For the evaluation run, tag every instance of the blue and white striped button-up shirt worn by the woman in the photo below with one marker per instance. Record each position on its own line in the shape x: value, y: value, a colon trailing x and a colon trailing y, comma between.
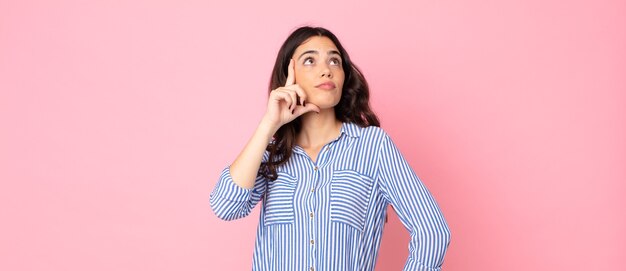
x: 329, y: 214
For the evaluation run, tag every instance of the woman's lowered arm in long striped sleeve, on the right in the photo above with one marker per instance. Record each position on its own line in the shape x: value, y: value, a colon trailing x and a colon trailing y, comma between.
x: 416, y: 208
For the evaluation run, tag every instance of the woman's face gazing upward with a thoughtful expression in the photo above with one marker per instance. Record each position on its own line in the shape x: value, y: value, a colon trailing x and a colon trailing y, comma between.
x: 319, y: 71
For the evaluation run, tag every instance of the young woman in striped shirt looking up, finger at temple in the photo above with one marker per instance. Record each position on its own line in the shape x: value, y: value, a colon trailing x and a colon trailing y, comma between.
x: 325, y: 171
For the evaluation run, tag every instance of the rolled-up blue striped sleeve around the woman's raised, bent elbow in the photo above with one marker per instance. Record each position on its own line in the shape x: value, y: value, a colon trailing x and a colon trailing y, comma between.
x: 229, y: 201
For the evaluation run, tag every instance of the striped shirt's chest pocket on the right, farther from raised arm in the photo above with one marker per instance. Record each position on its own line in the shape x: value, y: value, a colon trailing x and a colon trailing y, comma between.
x: 349, y: 198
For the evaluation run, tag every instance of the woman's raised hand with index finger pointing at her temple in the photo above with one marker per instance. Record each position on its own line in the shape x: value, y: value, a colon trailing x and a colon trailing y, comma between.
x: 287, y: 103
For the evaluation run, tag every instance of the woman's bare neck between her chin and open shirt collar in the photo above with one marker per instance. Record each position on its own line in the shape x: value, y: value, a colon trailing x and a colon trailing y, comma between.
x: 318, y: 129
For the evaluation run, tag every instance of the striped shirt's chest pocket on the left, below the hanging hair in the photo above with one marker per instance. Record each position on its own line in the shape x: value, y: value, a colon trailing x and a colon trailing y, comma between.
x: 279, y: 200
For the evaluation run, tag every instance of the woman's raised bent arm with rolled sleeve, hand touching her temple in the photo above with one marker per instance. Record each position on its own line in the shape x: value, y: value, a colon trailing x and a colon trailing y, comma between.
x: 240, y: 186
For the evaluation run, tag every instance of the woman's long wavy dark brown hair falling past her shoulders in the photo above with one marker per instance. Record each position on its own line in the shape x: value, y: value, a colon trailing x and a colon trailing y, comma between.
x: 352, y: 107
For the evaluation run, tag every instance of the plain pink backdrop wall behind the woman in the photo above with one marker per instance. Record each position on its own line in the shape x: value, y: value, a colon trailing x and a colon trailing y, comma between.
x: 117, y: 118
